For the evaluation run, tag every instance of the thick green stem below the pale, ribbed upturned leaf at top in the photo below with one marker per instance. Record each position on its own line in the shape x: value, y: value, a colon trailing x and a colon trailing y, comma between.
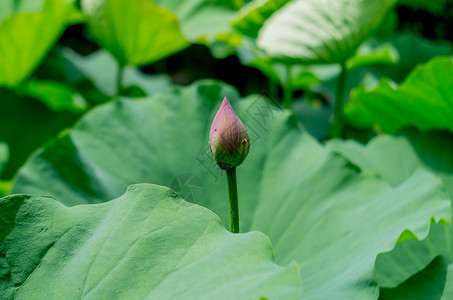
x: 337, y: 129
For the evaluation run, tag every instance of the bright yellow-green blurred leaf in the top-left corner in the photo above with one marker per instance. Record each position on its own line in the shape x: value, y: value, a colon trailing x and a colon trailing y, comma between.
x: 28, y: 30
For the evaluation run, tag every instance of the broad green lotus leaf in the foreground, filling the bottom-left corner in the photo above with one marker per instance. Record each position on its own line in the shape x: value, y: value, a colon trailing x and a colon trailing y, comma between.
x: 149, y: 243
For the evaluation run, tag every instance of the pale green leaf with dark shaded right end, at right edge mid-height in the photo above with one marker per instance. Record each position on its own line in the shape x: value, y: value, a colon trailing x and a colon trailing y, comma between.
x: 396, y: 158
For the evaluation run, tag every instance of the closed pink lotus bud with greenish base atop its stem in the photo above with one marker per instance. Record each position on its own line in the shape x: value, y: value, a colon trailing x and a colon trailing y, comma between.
x: 228, y: 139
